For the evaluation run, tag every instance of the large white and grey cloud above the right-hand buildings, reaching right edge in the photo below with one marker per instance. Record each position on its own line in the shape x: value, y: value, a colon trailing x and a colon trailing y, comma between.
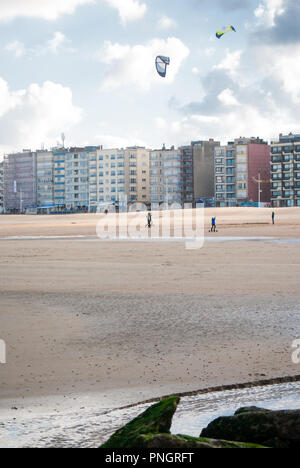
x: 267, y: 106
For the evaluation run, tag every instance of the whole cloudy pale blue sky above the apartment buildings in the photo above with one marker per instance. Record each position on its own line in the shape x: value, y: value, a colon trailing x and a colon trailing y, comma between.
x: 86, y: 68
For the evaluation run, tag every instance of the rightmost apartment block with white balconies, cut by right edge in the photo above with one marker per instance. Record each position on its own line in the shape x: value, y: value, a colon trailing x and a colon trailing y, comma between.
x: 285, y: 171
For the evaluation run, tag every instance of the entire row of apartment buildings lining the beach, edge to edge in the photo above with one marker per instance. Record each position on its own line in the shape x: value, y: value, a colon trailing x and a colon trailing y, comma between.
x: 245, y: 171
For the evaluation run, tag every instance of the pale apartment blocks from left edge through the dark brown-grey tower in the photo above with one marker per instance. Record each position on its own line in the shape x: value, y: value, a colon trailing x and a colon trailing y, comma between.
x: 82, y: 178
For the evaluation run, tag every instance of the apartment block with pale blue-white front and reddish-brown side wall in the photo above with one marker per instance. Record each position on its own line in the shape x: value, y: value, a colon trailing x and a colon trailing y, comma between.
x: 237, y: 169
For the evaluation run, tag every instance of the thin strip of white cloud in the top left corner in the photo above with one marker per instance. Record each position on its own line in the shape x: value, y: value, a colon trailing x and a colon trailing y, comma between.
x: 49, y: 10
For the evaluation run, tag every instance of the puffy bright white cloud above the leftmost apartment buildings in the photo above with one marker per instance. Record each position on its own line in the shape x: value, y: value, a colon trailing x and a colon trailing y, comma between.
x: 36, y: 114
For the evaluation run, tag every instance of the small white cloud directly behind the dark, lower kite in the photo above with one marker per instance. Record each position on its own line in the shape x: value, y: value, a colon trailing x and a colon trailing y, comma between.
x: 135, y: 65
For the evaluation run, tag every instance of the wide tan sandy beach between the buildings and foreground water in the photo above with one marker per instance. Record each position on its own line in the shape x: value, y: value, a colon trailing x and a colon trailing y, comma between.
x: 136, y: 320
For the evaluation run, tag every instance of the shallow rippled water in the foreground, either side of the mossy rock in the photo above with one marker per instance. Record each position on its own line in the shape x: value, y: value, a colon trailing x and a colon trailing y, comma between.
x: 89, y: 427
